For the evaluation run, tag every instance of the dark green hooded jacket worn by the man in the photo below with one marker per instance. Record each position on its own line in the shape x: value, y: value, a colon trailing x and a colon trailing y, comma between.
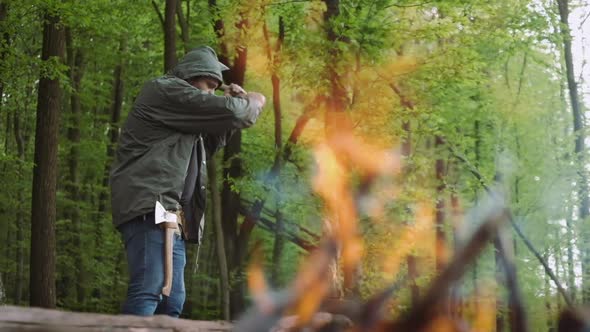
x: 166, y: 139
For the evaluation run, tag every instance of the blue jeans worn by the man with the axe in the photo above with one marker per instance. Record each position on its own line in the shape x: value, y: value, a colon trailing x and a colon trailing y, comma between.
x: 144, y: 244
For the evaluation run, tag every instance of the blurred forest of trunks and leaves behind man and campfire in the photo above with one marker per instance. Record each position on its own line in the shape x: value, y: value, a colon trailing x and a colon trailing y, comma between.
x: 499, y: 83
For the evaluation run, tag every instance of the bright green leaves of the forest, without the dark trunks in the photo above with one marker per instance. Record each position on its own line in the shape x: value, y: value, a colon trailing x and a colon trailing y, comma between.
x: 484, y: 75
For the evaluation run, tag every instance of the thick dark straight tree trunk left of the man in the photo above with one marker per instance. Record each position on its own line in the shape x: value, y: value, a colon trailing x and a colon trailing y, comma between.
x: 43, y: 207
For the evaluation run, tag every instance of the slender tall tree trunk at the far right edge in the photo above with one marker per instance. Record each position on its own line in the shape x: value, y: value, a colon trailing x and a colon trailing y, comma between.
x: 584, y: 200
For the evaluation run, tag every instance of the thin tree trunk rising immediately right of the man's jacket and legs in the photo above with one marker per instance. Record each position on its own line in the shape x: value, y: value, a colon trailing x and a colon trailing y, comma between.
x: 221, y: 254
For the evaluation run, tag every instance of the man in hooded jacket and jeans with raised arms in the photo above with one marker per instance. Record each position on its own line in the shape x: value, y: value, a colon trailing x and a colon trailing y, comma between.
x: 177, y: 122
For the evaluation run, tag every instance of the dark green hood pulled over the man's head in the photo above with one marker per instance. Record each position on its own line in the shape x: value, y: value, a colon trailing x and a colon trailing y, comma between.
x: 201, y: 61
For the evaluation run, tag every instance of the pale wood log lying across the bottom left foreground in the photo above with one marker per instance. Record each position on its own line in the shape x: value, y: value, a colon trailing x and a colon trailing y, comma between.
x: 17, y: 319
